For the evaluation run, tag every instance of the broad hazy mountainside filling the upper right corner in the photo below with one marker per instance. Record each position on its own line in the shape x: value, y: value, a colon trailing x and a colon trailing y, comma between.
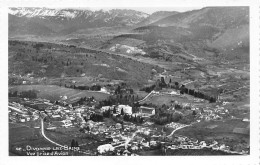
x: 219, y: 26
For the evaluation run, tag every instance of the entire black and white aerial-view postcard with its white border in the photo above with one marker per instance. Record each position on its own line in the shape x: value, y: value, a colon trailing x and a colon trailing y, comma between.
x: 112, y: 80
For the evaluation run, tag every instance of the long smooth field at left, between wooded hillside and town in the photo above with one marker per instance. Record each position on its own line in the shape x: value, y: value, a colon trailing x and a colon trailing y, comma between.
x: 52, y: 92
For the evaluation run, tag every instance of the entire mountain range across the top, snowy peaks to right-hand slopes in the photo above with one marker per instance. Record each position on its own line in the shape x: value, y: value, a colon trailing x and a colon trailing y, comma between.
x: 222, y: 28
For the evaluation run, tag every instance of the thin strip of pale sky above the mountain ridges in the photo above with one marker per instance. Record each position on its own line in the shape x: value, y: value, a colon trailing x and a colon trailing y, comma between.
x: 148, y: 10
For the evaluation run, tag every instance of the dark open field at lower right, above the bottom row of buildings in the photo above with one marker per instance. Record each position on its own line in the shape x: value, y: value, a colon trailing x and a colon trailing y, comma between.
x: 221, y: 131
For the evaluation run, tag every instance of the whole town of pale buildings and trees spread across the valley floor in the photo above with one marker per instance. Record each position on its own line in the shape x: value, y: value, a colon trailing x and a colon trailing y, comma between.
x: 126, y: 131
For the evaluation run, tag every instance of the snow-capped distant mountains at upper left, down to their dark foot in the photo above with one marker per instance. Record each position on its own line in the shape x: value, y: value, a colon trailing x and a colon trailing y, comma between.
x: 65, y: 21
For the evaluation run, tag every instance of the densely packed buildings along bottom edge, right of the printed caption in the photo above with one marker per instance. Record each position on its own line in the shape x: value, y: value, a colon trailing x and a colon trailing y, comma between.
x: 133, y: 143
